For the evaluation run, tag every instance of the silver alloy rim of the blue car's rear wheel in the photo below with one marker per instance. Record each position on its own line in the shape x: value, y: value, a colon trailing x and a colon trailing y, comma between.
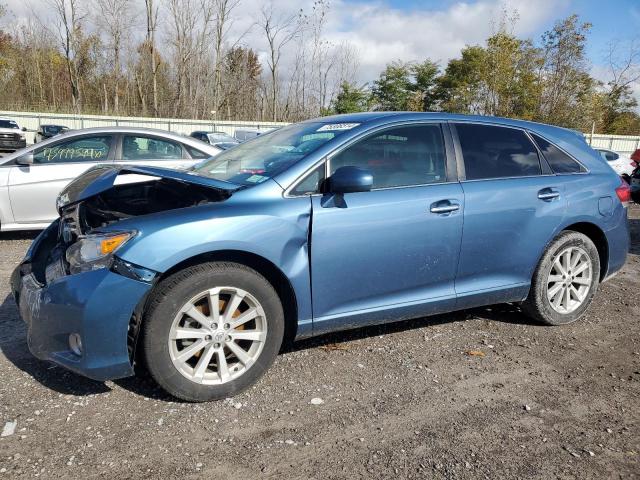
x: 569, y: 280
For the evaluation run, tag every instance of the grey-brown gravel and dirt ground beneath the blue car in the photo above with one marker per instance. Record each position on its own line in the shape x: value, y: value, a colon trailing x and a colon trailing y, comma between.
x: 401, y: 401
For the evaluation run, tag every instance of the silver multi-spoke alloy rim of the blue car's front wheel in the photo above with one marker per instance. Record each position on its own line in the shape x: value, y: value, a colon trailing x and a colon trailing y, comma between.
x: 217, y: 335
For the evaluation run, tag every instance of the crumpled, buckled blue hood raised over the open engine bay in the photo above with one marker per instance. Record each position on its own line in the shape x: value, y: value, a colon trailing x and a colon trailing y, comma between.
x: 103, y: 177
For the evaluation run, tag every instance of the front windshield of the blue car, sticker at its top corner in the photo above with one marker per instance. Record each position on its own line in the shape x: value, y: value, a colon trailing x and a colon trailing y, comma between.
x: 265, y: 156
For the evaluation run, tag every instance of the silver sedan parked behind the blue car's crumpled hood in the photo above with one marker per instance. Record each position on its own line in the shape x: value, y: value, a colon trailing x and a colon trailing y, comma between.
x: 31, y: 178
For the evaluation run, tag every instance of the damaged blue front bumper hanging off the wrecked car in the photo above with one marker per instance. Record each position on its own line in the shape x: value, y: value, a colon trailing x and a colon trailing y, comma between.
x: 97, y: 306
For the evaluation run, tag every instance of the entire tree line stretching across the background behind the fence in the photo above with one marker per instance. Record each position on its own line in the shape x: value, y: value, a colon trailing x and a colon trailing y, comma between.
x: 184, y: 58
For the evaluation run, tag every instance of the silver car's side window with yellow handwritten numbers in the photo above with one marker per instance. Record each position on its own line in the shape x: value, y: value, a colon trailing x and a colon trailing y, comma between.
x: 84, y: 149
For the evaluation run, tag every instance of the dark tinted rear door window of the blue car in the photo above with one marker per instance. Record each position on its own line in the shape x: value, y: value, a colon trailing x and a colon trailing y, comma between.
x: 491, y: 151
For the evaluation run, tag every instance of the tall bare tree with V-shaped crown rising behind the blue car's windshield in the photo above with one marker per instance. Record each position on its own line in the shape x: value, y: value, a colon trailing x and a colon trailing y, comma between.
x: 279, y: 31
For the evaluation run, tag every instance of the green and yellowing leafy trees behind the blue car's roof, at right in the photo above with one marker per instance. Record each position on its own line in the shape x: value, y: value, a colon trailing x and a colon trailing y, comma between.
x: 547, y: 81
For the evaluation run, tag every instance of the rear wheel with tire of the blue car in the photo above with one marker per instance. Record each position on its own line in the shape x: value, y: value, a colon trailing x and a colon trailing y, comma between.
x: 565, y: 280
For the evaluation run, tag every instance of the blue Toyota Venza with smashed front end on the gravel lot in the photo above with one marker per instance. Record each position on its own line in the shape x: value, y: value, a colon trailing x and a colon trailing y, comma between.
x: 319, y: 226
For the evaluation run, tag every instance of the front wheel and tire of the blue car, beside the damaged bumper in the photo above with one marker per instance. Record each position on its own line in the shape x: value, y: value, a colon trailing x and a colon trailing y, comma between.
x: 211, y: 331
